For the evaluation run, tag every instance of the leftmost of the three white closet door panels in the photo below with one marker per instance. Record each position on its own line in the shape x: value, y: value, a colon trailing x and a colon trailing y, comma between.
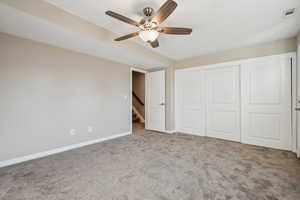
x: 189, y: 102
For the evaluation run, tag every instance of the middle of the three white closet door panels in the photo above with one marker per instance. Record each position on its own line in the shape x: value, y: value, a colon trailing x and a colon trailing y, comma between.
x: 223, y: 103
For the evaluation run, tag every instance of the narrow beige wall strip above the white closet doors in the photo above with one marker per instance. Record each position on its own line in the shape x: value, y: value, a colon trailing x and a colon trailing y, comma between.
x: 267, y: 49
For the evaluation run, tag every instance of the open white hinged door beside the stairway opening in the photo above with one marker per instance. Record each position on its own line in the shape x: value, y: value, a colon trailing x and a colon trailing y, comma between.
x: 155, y: 101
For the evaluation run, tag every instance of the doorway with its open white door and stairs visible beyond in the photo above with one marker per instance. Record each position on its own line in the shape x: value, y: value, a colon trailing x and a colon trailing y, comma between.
x: 148, y: 101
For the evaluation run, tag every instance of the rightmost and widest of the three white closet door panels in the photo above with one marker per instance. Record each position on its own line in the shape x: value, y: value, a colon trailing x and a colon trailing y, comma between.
x: 266, y: 102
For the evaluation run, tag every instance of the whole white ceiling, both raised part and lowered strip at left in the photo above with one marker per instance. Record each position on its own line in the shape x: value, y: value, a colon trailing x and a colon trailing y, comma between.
x: 217, y: 25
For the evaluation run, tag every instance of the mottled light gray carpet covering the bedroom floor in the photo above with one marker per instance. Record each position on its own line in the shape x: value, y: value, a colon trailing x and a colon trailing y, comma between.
x: 157, y: 166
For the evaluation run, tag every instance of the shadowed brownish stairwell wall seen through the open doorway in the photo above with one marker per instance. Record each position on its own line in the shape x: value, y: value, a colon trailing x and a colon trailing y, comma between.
x: 138, y: 87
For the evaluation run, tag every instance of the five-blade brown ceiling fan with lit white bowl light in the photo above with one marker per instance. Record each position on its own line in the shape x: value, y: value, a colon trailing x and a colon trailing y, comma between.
x: 149, y: 25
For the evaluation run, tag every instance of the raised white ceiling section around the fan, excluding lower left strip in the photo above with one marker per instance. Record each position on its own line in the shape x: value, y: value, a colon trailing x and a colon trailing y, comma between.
x: 217, y: 24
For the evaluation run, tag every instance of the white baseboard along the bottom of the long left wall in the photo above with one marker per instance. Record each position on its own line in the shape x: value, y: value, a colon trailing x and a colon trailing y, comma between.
x: 57, y: 150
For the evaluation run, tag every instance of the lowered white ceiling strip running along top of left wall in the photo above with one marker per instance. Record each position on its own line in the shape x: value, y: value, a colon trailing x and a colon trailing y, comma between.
x: 15, y: 22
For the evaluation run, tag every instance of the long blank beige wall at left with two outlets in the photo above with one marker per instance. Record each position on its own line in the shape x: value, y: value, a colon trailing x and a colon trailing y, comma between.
x: 46, y: 91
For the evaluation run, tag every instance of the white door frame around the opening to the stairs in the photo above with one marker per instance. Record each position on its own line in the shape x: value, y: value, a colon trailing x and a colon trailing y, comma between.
x: 133, y: 69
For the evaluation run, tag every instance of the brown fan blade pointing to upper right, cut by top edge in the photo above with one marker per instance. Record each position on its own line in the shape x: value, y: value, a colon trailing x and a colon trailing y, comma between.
x: 164, y: 11
